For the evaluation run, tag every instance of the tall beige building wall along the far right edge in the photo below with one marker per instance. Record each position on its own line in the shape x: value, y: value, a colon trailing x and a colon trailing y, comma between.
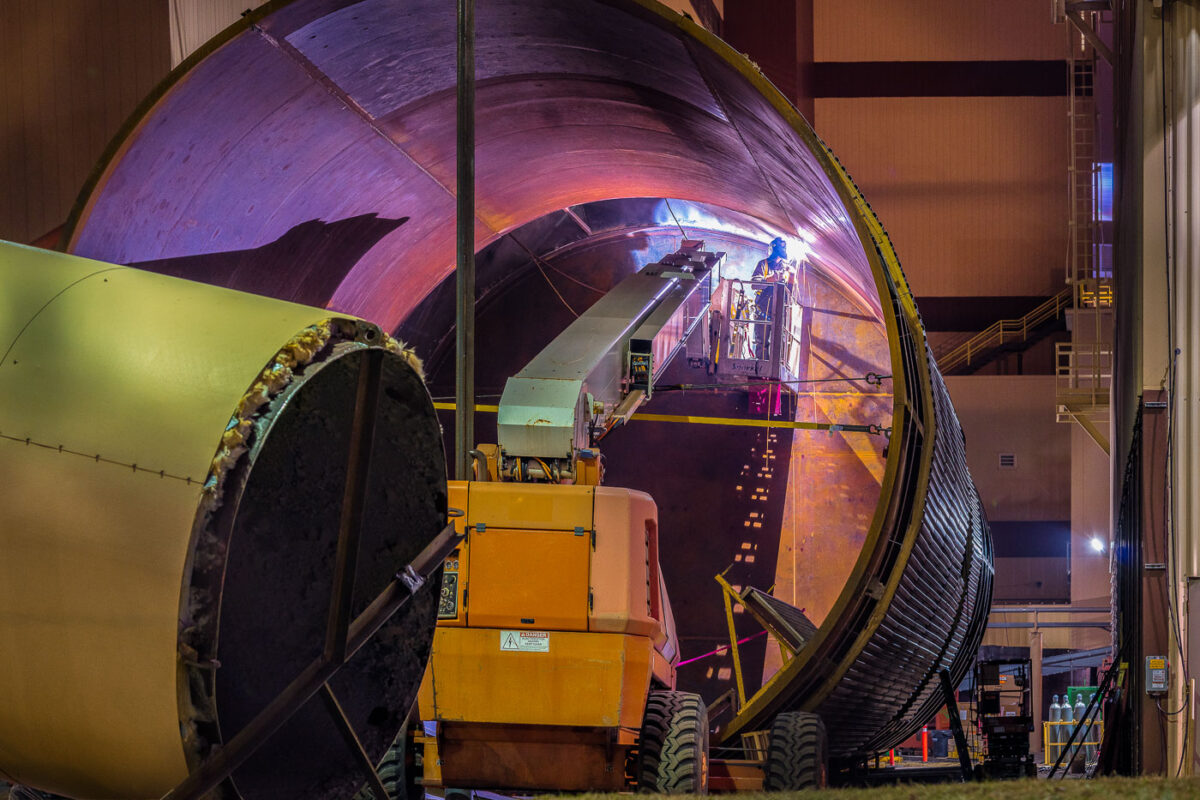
x: 1159, y: 346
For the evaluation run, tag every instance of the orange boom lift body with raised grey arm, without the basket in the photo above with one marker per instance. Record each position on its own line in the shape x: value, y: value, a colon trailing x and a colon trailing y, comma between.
x: 554, y: 659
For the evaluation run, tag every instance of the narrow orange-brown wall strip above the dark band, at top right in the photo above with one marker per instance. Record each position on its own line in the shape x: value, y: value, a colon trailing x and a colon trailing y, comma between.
x: 937, y: 31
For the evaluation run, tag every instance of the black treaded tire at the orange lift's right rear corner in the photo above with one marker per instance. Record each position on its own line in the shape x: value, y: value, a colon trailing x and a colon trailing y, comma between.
x: 674, y: 748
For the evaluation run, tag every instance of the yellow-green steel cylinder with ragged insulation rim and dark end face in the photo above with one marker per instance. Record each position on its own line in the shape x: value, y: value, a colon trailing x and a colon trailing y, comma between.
x: 175, y: 458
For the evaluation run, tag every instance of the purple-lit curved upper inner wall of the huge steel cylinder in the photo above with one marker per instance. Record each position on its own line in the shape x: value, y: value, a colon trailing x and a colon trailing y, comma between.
x: 332, y: 111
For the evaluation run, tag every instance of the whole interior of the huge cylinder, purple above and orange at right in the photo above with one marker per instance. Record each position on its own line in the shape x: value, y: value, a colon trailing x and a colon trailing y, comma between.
x: 327, y: 178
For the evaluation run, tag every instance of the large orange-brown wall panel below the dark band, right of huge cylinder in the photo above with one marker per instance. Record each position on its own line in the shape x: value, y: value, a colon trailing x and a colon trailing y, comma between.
x: 973, y: 190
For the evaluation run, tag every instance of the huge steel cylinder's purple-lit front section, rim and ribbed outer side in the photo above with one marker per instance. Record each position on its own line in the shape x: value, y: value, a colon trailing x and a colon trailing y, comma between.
x: 309, y: 153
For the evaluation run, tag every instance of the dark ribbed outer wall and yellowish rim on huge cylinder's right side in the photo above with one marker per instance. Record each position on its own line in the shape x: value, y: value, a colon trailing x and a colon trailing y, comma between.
x: 917, y: 601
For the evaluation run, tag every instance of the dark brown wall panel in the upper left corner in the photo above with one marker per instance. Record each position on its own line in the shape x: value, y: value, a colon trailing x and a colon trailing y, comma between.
x: 74, y: 71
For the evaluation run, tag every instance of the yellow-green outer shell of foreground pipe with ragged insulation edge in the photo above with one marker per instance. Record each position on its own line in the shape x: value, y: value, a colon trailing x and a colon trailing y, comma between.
x: 118, y: 393
